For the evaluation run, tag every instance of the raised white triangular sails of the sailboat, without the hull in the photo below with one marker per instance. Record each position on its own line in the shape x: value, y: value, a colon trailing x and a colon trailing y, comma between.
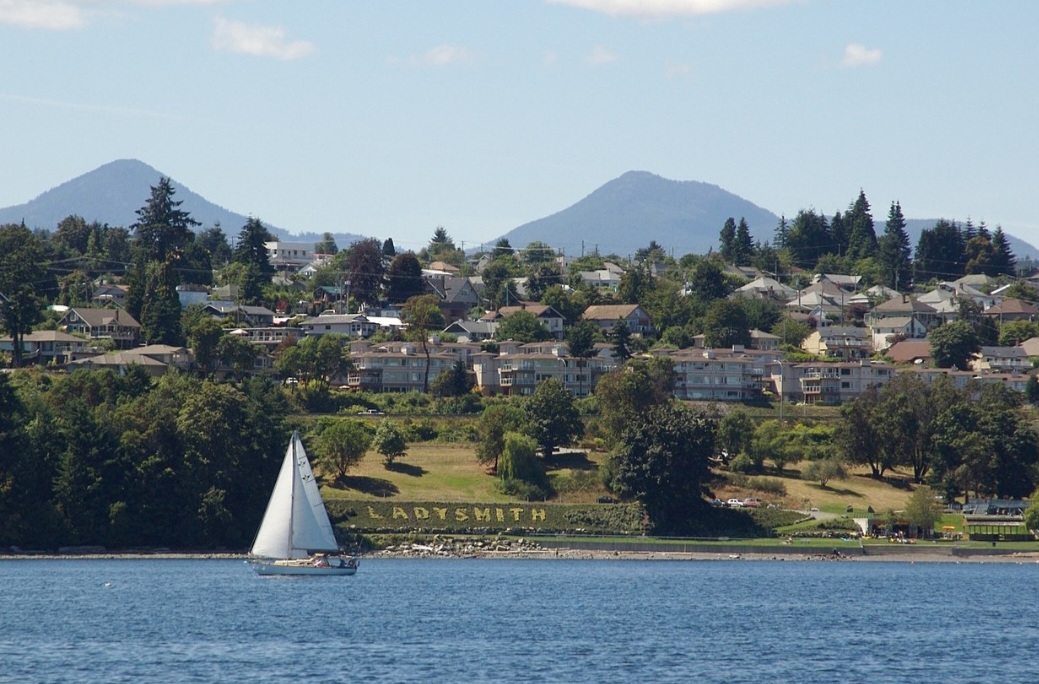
x: 296, y: 523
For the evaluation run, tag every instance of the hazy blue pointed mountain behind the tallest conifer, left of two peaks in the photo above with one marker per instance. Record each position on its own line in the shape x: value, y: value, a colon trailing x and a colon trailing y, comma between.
x: 113, y: 194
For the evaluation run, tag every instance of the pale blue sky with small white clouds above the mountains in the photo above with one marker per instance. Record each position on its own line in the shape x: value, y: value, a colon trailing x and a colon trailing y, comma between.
x: 390, y: 119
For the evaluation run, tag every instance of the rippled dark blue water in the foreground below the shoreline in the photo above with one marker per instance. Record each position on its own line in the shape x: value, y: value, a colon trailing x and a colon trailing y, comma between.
x: 520, y: 621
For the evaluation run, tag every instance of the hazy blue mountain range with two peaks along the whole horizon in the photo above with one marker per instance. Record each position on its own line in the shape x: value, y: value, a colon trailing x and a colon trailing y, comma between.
x: 620, y: 218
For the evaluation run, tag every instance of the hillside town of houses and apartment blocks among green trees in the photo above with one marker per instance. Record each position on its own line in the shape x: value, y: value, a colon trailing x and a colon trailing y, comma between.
x: 812, y: 338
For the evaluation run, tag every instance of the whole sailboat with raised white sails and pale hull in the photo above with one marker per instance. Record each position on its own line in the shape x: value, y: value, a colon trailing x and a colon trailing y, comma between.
x: 296, y: 537
